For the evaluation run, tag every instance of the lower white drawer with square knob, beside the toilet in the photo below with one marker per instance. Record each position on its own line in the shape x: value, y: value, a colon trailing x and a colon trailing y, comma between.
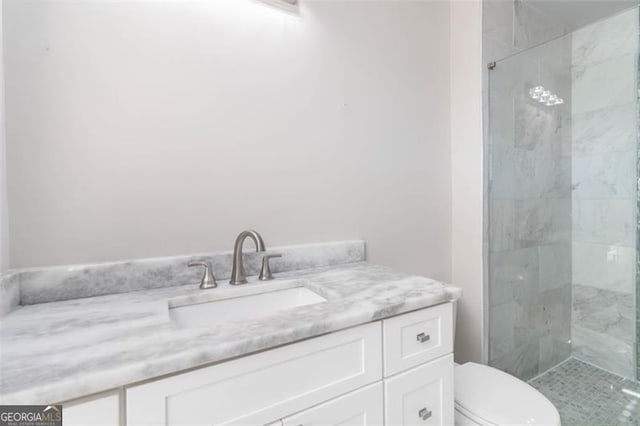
x: 421, y: 396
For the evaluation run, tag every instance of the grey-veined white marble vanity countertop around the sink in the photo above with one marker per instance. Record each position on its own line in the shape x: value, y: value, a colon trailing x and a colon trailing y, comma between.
x: 57, y: 351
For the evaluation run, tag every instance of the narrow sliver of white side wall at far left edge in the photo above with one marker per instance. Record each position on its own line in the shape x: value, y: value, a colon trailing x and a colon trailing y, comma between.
x: 4, y: 210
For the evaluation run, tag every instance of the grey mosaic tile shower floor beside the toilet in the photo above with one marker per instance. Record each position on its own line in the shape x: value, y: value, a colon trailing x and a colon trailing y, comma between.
x: 586, y: 395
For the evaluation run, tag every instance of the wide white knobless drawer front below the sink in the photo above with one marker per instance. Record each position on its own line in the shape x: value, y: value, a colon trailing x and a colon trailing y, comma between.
x: 264, y: 387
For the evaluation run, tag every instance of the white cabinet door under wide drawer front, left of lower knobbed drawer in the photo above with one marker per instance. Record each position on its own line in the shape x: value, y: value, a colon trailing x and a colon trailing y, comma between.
x: 362, y: 407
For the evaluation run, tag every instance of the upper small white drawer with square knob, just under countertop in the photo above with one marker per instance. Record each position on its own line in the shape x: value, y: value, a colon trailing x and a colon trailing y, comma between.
x: 417, y: 337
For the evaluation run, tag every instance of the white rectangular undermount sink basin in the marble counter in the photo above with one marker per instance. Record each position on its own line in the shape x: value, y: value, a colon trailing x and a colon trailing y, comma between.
x: 242, y: 307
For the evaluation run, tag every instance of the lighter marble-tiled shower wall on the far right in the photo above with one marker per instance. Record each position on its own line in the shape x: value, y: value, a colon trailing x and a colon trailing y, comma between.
x: 604, y: 180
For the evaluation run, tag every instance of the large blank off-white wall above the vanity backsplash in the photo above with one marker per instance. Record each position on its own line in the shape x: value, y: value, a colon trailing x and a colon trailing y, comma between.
x: 150, y: 128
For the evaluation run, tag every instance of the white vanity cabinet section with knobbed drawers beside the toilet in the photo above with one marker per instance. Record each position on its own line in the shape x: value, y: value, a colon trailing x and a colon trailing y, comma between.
x: 397, y: 371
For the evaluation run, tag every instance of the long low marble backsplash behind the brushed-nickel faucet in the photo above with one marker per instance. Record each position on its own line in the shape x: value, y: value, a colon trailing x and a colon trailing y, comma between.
x: 40, y: 285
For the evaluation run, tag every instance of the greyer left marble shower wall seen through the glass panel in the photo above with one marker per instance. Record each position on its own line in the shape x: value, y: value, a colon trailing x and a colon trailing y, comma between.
x: 529, y: 257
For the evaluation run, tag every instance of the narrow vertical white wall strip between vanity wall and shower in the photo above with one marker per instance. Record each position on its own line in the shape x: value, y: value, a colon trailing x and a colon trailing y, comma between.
x: 467, y: 175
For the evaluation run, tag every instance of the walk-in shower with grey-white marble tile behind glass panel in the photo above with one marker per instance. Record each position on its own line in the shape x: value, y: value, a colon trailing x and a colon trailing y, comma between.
x: 562, y: 191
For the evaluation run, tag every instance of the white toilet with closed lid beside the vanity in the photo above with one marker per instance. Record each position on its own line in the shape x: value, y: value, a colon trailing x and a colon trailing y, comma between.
x: 499, y: 398
